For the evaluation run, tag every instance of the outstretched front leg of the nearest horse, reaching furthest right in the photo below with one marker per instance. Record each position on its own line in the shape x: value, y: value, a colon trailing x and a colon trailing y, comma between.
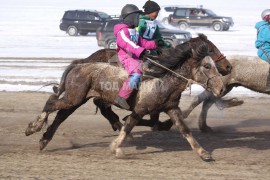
x: 176, y: 116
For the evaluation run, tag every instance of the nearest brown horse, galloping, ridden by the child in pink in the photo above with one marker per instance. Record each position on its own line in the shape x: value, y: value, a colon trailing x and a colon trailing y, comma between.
x: 87, y: 80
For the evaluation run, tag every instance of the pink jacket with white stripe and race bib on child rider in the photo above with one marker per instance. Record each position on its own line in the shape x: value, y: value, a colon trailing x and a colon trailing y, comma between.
x: 130, y: 44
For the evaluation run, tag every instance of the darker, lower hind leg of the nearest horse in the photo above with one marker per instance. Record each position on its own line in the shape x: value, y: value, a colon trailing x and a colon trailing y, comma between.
x: 61, y: 116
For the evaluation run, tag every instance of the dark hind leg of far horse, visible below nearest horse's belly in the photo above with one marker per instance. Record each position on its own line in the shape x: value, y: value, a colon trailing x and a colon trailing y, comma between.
x: 106, y: 111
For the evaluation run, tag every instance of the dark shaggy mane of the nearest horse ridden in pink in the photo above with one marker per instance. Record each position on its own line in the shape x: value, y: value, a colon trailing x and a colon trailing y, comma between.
x: 174, y: 58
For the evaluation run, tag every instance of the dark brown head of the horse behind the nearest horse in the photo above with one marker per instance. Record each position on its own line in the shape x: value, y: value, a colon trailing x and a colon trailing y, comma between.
x: 223, y: 65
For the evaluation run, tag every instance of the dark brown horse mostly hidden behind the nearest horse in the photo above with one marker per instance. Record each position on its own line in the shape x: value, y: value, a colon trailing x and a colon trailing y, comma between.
x: 110, y: 56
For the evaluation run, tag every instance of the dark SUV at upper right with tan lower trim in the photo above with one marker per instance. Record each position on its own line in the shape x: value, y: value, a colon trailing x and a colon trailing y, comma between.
x: 192, y: 17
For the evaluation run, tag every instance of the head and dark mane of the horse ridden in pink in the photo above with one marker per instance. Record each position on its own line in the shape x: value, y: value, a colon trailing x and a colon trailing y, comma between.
x: 191, y: 62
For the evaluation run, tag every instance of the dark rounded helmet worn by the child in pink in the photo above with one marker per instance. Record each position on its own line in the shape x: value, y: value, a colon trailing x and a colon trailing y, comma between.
x: 130, y: 13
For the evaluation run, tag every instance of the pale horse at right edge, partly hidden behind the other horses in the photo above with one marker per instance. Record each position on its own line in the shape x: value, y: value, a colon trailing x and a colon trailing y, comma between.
x: 249, y: 72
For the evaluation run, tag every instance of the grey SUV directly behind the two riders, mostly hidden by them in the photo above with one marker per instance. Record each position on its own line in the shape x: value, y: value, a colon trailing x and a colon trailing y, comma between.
x: 105, y: 36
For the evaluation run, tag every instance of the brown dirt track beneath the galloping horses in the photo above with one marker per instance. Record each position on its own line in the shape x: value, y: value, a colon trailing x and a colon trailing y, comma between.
x: 240, y: 144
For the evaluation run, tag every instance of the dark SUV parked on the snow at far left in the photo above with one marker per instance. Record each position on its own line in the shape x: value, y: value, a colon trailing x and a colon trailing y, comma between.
x: 81, y: 22
